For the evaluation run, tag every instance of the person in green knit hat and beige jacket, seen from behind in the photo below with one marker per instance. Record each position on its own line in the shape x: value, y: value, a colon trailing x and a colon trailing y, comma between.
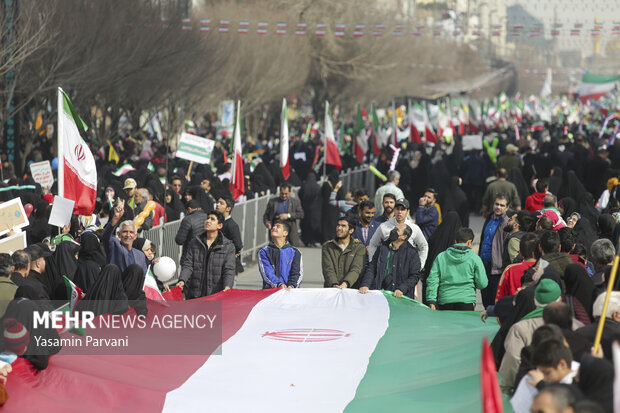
x: 520, y: 334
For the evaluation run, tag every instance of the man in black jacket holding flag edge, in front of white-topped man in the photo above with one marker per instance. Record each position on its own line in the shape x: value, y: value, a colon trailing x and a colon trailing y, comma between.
x: 395, y: 265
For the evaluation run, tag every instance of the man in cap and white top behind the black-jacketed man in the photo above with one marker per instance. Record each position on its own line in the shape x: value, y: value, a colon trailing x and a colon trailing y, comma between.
x: 401, y: 215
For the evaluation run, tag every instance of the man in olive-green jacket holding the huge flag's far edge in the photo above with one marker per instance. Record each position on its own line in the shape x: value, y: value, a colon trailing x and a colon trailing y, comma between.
x: 343, y: 256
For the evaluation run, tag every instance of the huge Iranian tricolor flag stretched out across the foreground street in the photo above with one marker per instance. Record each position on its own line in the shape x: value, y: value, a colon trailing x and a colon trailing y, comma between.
x: 304, y: 350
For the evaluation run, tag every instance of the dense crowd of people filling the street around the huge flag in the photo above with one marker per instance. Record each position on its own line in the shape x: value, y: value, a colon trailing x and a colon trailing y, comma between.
x: 548, y: 196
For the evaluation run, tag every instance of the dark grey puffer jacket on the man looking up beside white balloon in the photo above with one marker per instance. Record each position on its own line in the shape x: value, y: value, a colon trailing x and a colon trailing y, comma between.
x: 220, y: 271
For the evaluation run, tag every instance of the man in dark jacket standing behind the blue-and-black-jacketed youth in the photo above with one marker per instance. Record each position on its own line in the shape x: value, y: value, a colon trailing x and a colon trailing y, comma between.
x: 287, y: 209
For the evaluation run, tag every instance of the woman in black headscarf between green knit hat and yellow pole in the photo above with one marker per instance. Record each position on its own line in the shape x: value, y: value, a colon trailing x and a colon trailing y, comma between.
x: 579, y: 292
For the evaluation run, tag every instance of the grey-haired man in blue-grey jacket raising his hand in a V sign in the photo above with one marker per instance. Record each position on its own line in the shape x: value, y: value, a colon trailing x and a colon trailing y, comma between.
x: 120, y: 250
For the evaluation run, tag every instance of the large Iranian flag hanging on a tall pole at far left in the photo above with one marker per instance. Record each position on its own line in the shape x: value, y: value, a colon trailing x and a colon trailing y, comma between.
x: 77, y: 171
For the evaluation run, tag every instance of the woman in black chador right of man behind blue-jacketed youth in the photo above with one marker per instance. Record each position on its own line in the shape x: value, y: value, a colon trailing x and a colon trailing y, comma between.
x: 310, y: 197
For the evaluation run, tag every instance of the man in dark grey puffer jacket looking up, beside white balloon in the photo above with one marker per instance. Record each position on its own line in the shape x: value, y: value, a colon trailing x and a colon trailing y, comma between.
x: 208, y: 265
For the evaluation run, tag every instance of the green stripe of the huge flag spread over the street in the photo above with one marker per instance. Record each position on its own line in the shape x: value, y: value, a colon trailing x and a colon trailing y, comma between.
x: 427, y: 361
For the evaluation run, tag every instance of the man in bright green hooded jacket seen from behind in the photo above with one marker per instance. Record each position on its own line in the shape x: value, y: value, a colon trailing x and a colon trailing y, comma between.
x: 455, y: 276
